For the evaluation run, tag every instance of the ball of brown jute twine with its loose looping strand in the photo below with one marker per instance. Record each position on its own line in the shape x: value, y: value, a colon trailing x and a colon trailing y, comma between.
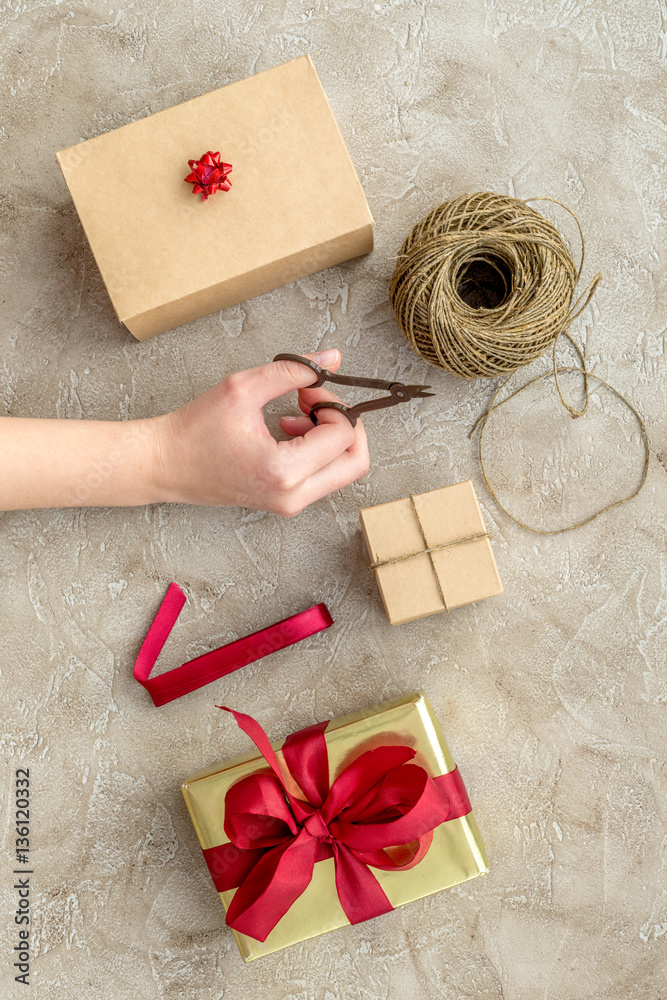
x: 484, y: 285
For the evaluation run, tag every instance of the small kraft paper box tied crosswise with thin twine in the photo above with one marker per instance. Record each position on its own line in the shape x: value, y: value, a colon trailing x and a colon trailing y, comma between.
x: 430, y: 552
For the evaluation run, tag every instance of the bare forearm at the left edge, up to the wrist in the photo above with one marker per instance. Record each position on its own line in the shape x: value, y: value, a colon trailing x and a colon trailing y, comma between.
x: 77, y: 463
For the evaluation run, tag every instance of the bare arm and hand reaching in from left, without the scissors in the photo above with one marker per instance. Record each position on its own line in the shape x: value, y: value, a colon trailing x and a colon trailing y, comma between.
x: 215, y: 450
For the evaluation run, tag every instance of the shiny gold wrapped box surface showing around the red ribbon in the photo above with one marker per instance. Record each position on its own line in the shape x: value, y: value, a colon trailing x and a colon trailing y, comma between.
x: 456, y: 852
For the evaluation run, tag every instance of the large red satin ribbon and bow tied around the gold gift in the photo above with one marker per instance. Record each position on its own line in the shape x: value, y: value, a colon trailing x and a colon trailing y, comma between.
x: 380, y: 811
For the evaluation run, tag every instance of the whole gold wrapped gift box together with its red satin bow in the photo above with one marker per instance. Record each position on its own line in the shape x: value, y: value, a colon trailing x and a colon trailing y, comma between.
x: 339, y: 823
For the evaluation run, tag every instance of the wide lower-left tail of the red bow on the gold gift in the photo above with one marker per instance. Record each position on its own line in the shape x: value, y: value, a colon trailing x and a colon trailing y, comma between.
x: 273, y: 885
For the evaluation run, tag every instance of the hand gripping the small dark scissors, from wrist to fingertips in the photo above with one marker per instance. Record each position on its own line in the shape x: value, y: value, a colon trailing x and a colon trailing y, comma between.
x: 217, y: 450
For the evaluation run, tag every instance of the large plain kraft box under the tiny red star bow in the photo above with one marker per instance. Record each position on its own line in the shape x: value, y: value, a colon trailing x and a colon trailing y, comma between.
x: 295, y: 207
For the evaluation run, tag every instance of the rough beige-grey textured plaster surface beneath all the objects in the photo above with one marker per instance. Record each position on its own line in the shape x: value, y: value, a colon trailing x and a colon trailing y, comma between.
x: 553, y: 696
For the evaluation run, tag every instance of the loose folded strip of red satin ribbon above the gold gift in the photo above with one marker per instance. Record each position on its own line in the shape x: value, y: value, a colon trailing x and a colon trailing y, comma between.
x: 209, y: 667
